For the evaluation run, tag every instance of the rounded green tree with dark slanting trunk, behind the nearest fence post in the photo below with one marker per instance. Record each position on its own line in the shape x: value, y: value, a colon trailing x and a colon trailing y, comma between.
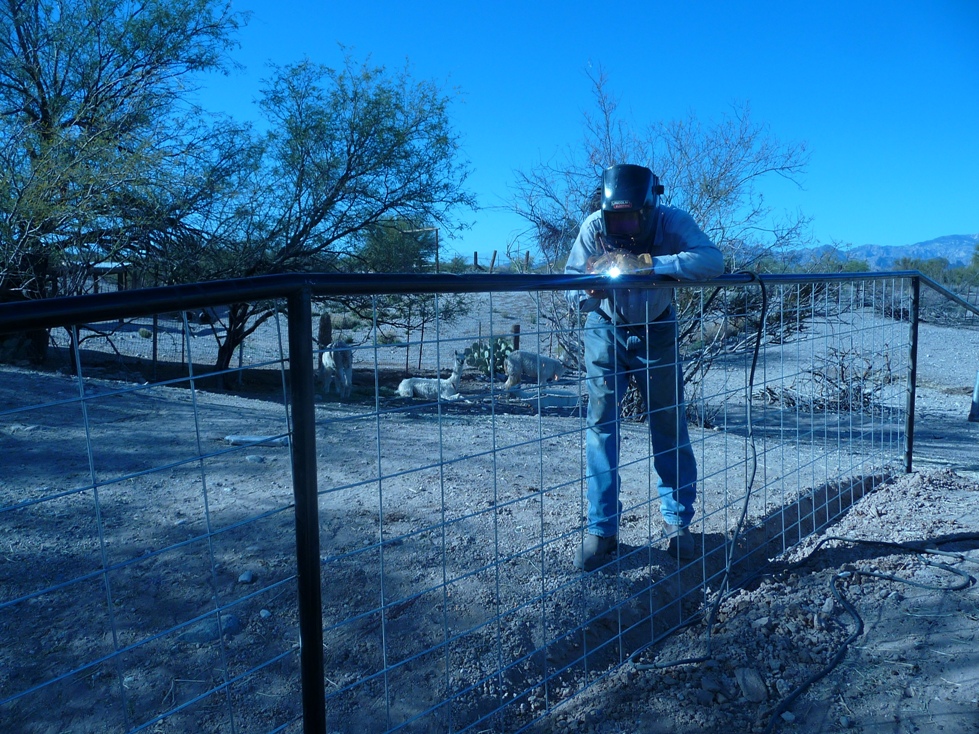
x: 346, y: 150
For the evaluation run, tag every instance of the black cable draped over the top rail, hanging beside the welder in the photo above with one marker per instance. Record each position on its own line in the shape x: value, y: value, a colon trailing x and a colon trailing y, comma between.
x: 732, y: 544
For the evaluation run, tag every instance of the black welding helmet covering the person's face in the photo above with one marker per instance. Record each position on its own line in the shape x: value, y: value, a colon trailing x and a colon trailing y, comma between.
x: 630, y: 195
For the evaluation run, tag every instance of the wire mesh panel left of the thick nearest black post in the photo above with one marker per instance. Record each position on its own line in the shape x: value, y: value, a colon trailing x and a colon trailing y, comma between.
x: 138, y: 587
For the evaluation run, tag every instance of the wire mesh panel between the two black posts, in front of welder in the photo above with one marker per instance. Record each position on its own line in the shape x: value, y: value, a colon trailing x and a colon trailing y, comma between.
x: 469, y: 520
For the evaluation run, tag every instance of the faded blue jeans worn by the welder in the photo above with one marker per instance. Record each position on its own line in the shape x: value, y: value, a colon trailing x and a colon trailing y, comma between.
x: 651, y: 354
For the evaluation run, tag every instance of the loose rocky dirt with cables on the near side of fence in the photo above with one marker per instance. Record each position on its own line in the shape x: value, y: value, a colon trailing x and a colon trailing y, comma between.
x: 900, y: 630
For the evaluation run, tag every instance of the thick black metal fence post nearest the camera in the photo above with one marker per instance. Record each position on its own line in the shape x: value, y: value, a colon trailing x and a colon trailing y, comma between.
x: 303, y: 445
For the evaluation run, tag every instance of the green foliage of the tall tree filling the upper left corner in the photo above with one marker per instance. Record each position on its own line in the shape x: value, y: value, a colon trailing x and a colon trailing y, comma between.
x: 98, y: 153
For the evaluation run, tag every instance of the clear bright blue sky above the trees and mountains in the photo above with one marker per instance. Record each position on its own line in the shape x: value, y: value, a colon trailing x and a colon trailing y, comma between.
x: 884, y: 94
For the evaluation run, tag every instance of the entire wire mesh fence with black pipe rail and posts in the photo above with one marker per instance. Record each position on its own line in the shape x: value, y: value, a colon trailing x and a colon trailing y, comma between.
x: 177, y: 557
